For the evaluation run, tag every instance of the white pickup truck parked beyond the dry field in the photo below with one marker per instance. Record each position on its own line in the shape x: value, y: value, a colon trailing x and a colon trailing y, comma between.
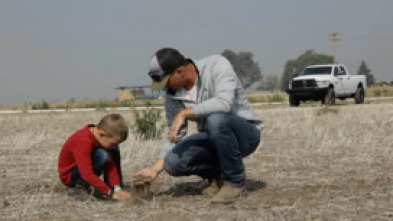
x: 325, y: 83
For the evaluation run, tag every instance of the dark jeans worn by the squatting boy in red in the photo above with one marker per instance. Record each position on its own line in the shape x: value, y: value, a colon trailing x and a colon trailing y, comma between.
x: 100, y: 158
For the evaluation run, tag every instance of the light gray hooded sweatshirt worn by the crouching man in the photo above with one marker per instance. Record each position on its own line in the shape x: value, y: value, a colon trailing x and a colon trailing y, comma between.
x: 218, y: 91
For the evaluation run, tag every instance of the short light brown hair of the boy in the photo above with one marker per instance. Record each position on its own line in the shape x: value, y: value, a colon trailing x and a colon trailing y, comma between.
x: 114, y: 125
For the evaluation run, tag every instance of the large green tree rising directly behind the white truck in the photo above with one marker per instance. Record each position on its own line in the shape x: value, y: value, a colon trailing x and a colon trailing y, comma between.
x: 294, y: 67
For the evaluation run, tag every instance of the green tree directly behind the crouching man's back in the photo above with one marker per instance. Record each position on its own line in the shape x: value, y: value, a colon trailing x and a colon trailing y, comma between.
x: 245, y: 67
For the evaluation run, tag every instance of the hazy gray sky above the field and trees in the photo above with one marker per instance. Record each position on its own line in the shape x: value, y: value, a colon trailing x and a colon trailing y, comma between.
x: 83, y: 49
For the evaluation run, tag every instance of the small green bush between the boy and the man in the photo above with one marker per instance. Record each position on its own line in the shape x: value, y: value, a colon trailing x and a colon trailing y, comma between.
x: 147, y: 124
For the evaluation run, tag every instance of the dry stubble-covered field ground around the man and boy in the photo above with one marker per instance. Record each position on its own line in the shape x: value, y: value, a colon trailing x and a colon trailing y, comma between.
x: 313, y: 163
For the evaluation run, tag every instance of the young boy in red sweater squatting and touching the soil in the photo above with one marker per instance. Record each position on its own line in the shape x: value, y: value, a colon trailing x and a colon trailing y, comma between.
x: 94, y: 150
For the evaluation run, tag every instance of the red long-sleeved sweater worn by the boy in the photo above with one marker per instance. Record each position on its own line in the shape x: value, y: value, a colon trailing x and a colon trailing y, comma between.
x: 77, y: 152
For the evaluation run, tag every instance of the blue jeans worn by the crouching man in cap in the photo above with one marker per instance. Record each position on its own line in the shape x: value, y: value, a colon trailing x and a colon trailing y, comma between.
x: 216, y: 153
